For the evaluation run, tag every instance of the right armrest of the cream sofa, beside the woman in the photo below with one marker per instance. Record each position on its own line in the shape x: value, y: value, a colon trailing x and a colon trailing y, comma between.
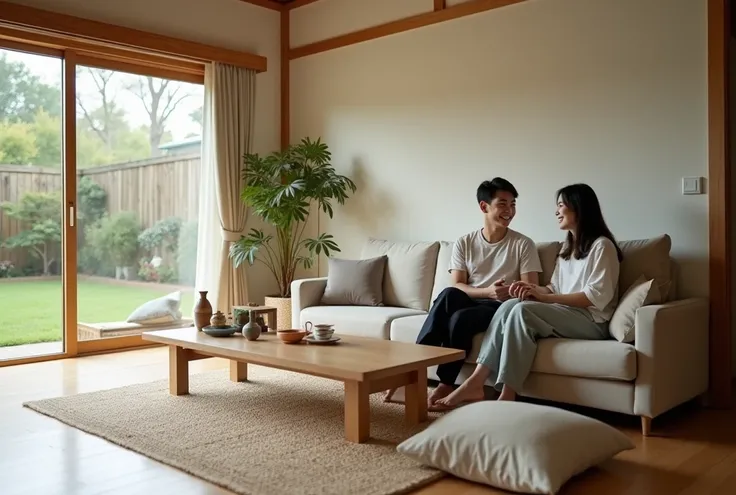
x: 672, y: 355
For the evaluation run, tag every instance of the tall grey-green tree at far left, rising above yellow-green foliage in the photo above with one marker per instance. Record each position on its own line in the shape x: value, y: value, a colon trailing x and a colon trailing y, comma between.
x: 23, y: 94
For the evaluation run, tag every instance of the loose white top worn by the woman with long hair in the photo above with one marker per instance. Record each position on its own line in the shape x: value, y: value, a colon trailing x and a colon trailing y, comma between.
x: 596, y: 276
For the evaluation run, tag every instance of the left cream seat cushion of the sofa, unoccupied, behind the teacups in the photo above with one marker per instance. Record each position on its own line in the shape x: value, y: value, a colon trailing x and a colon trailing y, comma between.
x: 361, y: 321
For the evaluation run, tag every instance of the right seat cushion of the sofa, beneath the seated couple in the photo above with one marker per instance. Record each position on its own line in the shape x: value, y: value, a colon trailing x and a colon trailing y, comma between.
x: 606, y: 360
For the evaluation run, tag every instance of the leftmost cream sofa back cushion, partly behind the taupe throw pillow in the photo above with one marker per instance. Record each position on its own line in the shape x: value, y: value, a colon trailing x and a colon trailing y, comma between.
x: 409, y: 275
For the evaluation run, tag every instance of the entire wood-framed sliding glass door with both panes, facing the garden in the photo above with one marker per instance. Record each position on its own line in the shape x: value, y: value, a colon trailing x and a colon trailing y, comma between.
x: 99, y: 174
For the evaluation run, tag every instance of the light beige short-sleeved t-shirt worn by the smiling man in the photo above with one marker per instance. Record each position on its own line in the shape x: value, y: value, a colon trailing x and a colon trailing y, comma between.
x: 487, y: 262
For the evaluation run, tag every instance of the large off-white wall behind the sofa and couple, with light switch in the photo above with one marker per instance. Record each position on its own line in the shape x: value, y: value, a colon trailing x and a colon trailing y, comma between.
x: 544, y: 93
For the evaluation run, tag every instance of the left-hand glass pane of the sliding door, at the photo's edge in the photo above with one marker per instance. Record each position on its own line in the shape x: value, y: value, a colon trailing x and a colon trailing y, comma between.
x: 31, y: 321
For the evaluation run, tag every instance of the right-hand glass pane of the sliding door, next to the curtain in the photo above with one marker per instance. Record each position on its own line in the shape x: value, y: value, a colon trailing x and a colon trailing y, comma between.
x: 138, y: 156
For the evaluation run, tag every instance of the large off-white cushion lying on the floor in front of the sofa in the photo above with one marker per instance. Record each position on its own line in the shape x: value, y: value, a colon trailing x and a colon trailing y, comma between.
x: 515, y: 446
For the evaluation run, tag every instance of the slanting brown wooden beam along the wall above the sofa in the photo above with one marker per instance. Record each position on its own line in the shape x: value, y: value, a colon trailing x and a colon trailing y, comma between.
x: 399, y: 26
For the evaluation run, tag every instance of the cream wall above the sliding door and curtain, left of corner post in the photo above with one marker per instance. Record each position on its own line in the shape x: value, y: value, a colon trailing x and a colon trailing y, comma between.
x: 226, y: 23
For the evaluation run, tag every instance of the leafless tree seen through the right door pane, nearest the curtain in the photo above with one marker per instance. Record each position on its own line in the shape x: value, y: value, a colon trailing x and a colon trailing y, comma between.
x: 160, y: 97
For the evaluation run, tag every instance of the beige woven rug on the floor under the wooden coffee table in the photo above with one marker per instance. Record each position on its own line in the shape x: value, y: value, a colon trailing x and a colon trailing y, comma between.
x: 278, y: 433
